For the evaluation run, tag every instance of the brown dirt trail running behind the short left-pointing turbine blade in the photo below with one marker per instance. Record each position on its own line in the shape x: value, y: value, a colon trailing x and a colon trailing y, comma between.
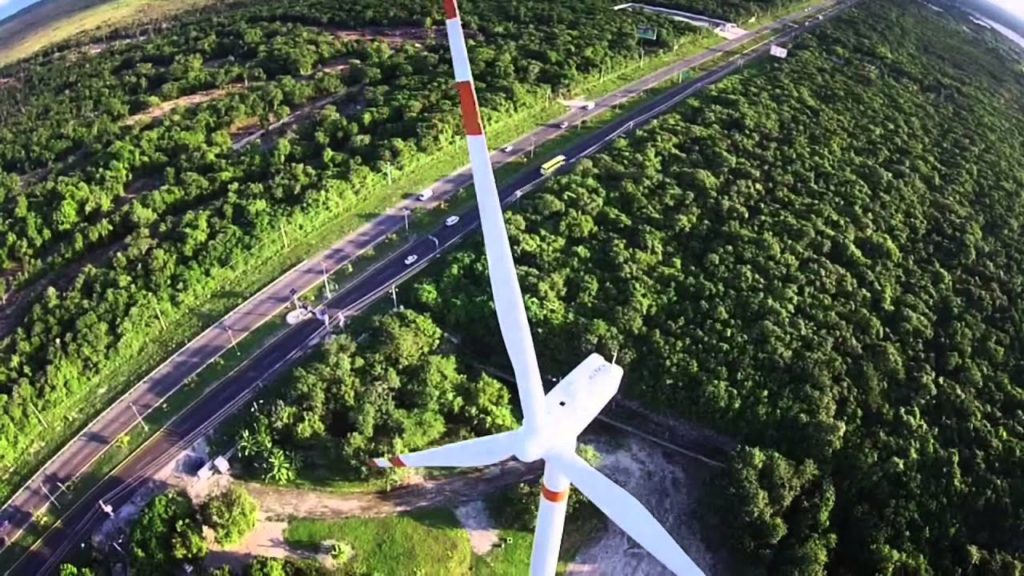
x: 283, y: 503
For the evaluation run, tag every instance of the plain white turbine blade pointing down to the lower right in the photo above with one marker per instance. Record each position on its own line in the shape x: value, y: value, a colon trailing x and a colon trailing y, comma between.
x: 627, y: 512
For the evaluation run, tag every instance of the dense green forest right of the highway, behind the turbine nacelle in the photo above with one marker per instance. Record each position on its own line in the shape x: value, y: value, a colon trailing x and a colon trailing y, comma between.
x: 822, y: 257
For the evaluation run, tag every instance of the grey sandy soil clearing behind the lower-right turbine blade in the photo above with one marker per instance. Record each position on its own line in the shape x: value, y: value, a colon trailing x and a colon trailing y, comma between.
x: 667, y: 485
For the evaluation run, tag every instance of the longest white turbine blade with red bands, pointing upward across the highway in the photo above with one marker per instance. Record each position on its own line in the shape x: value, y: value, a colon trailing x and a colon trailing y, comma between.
x: 504, y: 283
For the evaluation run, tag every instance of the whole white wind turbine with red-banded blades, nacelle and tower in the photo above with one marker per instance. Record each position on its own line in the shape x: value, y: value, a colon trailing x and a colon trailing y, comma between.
x: 551, y: 424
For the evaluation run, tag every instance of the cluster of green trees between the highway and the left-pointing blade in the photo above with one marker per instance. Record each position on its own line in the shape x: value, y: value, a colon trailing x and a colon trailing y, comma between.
x: 397, y: 391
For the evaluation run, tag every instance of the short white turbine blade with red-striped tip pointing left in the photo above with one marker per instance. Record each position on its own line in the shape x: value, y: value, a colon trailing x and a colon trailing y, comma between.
x: 476, y: 452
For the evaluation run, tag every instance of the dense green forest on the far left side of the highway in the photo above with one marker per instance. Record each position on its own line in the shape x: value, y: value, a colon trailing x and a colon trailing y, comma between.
x: 146, y: 173
